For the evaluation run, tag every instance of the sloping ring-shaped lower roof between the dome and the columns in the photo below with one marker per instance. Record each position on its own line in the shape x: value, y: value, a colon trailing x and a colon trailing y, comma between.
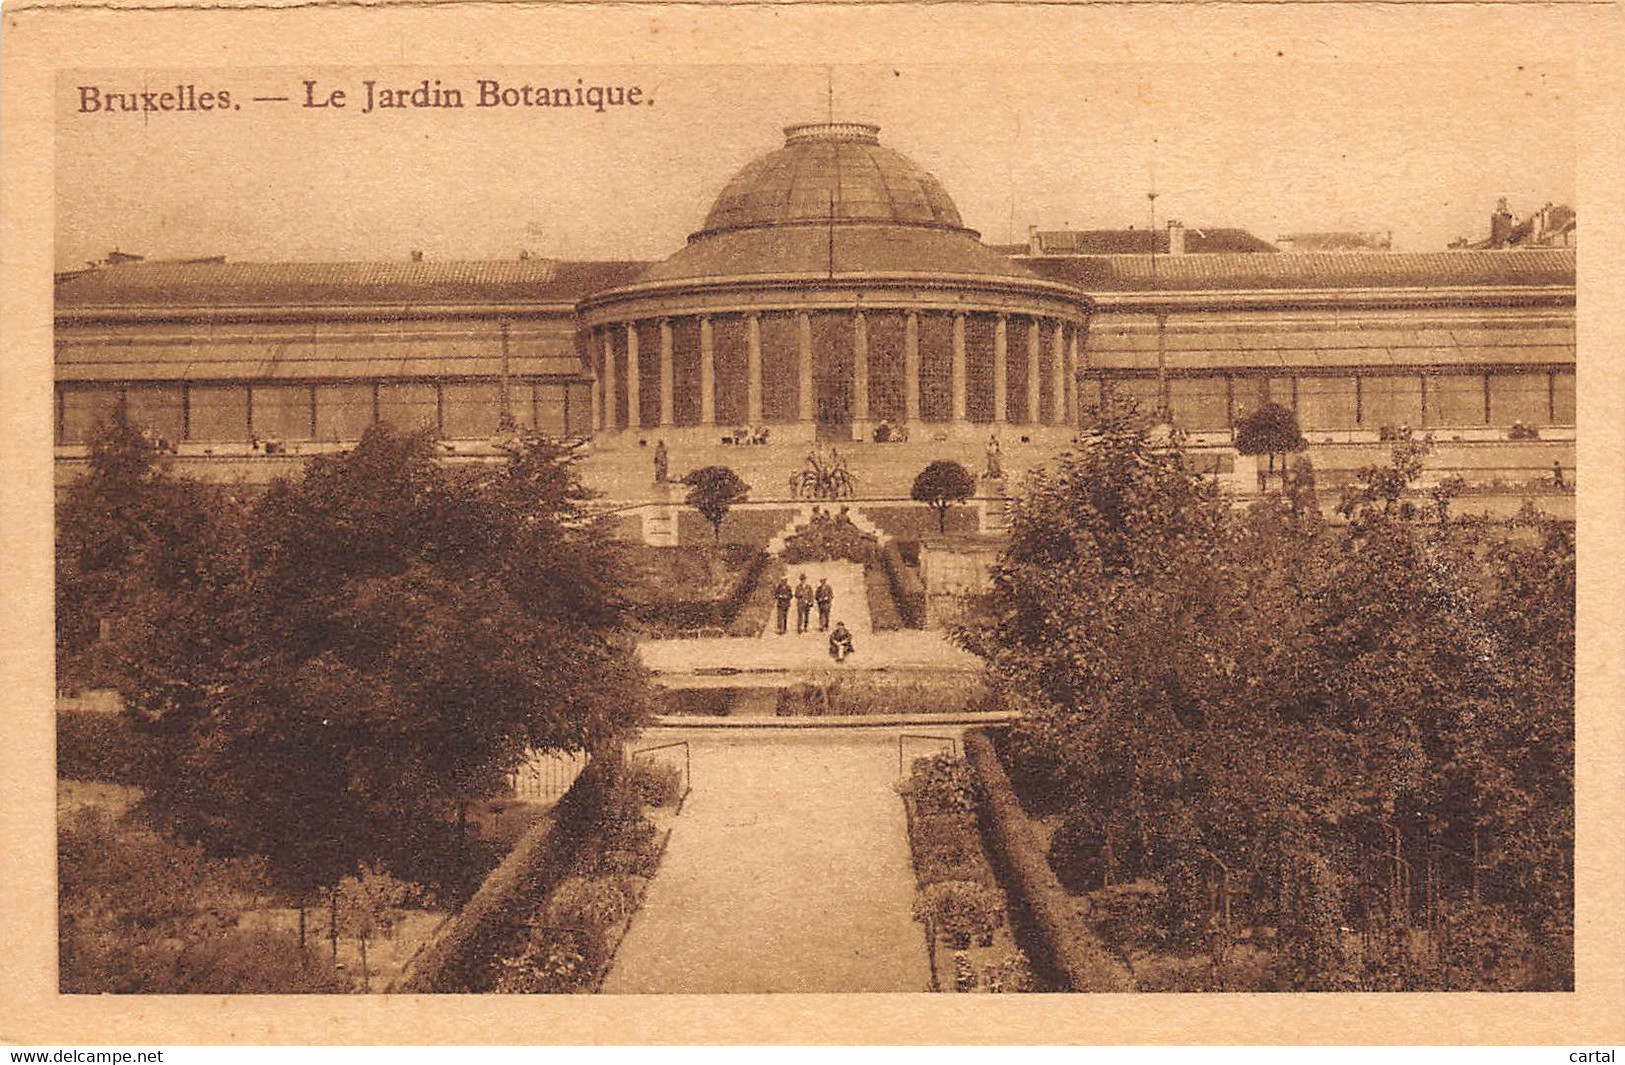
x: 804, y: 250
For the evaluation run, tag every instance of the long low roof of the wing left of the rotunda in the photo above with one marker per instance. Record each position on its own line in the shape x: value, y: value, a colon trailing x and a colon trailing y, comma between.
x: 339, y: 284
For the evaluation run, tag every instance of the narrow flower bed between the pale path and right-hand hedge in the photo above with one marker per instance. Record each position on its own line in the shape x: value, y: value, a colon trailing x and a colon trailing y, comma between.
x: 960, y: 900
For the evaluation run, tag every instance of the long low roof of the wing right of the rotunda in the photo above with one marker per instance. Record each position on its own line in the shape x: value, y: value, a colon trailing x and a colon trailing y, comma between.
x: 1130, y: 274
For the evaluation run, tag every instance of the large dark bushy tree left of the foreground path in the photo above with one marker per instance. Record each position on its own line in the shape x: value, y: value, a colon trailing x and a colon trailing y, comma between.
x: 386, y: 641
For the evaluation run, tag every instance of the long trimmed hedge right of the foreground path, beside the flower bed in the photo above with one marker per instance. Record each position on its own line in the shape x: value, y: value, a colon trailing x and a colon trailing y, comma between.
x: 1062, y: 945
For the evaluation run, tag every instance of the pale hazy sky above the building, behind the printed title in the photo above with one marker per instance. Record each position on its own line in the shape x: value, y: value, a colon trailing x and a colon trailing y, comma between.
x: 1419, y: 150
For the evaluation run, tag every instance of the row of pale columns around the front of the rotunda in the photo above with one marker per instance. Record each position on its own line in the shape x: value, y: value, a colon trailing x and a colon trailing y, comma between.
x: 615, y: 354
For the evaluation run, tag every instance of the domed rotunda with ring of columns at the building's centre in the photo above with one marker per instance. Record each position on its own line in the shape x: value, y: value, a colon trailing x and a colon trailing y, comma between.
x: 833, y: 289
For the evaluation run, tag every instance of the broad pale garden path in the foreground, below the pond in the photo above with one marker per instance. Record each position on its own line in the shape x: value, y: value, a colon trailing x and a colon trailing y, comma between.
x: 787, y: 872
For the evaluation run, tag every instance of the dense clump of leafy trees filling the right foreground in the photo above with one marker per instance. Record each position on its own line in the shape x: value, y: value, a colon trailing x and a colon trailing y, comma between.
x: 1294, y: 710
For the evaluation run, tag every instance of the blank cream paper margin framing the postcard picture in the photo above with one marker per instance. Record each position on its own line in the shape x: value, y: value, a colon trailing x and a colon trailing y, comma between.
x: 41, y: 40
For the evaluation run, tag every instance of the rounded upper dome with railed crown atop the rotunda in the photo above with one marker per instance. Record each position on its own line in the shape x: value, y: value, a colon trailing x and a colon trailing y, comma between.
x: 833, y: 170
